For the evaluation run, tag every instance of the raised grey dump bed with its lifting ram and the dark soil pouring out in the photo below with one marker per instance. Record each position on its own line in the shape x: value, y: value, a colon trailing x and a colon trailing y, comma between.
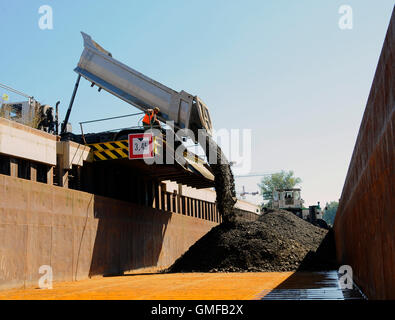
x: 185, y: 110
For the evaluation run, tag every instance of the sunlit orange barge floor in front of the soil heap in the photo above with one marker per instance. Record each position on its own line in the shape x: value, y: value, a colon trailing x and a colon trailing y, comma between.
x: 179, y: 286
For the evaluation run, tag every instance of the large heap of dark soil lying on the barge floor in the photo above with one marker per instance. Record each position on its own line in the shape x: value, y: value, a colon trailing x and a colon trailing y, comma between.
x: 278, y: 241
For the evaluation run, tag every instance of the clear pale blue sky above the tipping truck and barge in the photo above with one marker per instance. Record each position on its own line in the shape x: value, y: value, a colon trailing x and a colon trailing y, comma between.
x: 281, y: 68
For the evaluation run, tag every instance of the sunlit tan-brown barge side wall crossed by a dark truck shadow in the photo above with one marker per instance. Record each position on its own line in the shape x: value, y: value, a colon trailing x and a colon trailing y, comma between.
x: 81, y: 235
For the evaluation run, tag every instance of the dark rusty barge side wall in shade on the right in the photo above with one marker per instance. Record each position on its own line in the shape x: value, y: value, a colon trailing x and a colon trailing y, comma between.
x: 365, y: 221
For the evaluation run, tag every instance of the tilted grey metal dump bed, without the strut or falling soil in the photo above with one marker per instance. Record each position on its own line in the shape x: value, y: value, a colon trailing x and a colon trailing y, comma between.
x: 98, y: 66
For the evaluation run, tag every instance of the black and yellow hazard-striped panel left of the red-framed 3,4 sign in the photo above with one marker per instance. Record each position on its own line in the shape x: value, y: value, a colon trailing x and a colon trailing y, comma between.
x: 110, y: 150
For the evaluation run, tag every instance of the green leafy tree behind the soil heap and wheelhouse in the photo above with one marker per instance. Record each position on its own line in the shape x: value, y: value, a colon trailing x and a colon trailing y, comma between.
x: 279, y: 180
